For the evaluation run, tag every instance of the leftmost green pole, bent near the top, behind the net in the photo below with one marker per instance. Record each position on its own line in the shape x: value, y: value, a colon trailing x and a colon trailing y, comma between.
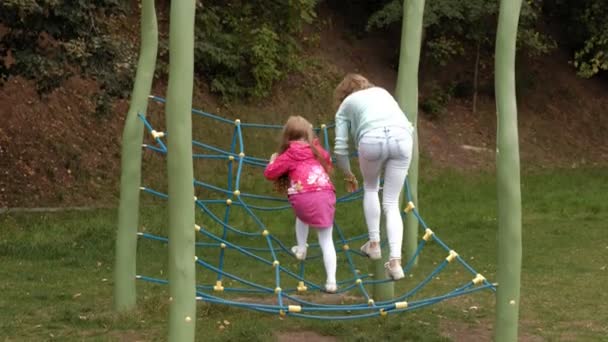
x: 130, y: 178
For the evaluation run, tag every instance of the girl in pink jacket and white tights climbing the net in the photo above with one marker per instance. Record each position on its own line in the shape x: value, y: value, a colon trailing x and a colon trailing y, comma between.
x: 301, y: 169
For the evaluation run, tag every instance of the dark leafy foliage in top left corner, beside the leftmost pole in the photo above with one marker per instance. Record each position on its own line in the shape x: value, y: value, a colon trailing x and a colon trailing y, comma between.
x: 50, y: 40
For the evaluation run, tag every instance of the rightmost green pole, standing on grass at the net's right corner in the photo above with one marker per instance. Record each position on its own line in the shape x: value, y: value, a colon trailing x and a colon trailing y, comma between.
x: 508, y: 175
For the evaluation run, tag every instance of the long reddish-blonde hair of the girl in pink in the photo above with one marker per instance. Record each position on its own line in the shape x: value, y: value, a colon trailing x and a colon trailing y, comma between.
x: 298, y: 128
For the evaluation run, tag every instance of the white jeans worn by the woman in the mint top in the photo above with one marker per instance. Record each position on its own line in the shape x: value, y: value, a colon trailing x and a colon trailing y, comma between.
x: 388, y: 148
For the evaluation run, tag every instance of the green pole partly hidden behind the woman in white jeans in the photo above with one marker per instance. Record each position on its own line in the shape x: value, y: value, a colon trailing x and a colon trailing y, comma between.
x: 407, y: 96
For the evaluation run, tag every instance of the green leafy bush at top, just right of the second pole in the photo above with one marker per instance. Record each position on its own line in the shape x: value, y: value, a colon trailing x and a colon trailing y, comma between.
x: 244, y: 47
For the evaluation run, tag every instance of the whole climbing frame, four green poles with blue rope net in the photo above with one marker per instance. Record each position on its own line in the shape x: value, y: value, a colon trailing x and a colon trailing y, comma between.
x: 183, y: 290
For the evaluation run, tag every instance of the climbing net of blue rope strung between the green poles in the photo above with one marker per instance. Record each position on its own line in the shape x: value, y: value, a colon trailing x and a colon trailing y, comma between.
x: 259, y: 245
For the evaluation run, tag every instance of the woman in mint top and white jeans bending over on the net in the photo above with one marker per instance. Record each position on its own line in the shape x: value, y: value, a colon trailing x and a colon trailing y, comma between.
x: 383, y: 136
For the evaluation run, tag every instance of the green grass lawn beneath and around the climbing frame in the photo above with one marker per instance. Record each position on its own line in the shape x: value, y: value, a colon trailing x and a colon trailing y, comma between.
x: 56, y: 274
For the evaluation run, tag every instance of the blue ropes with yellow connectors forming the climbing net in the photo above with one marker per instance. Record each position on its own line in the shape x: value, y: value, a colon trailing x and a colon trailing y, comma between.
x: 356, y: 281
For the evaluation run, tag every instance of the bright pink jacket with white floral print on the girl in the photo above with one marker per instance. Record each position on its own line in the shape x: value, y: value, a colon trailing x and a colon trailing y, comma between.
x: 304, y: 170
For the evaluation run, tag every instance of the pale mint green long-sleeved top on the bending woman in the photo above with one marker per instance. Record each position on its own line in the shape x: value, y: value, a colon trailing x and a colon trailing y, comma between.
x: 363, y: 111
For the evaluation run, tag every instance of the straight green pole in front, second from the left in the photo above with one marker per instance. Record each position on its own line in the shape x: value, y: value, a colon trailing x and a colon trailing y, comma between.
x: 182, y: 282
